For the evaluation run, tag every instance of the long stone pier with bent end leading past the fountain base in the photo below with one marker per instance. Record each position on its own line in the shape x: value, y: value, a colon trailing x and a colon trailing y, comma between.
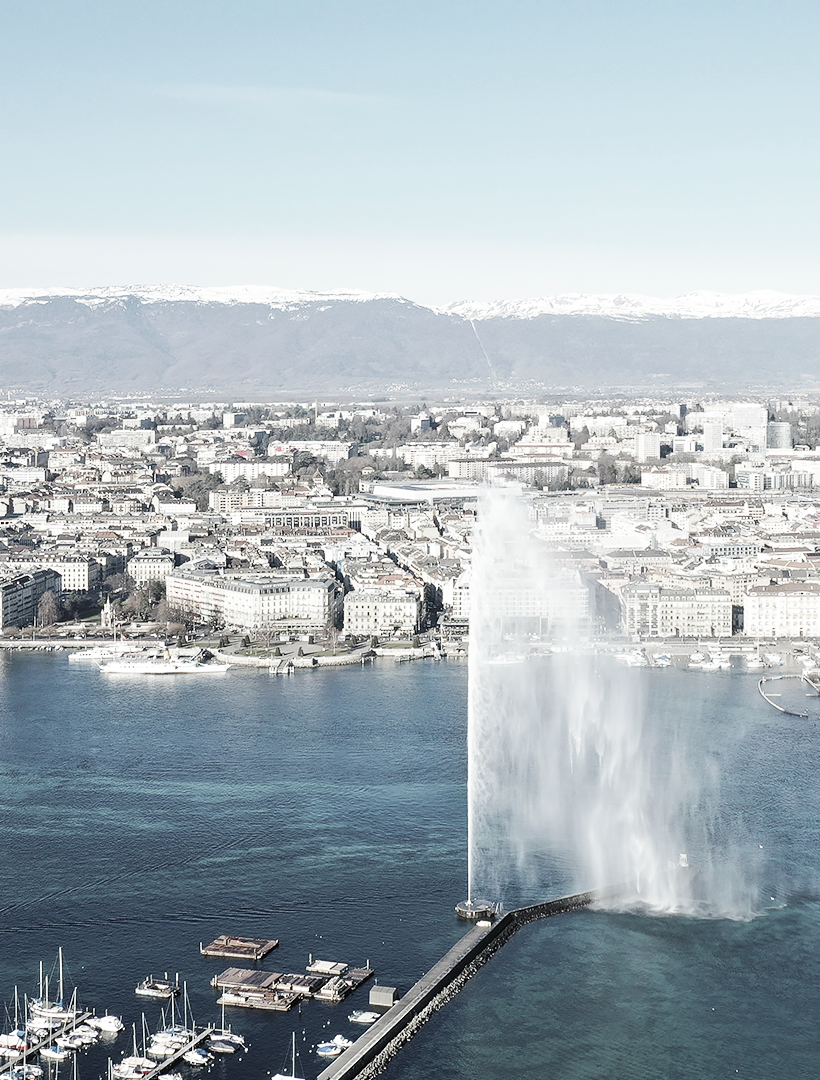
x: 373, y: 1050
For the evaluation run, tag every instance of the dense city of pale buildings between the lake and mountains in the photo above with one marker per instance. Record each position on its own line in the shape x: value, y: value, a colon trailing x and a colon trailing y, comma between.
x: 347, y: 525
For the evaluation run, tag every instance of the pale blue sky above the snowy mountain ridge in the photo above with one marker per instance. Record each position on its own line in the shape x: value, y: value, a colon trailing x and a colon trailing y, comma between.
x: 441, y: 151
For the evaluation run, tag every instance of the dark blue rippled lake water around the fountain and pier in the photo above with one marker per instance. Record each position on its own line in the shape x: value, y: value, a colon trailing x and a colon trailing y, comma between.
x: 142, y: 817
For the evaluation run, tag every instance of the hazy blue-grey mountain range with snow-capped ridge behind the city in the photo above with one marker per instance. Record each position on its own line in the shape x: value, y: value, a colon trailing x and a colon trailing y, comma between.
x: 254, y: 341
